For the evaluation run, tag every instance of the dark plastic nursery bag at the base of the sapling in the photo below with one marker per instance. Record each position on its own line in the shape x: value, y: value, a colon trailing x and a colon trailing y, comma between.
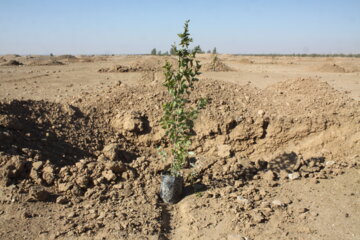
x: 171, y: 188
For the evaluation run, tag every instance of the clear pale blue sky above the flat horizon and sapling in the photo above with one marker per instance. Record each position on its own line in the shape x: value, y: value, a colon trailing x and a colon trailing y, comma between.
x: 137, y: 26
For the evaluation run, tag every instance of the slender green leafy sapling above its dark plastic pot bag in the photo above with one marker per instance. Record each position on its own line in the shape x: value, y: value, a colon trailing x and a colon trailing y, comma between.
x: 179, y: 112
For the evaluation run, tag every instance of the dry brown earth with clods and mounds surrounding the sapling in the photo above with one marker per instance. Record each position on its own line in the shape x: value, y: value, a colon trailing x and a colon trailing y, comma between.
x: 277, y: 150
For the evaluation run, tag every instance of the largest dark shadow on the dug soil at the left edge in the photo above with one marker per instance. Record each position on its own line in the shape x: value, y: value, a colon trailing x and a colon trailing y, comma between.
x: 32, y: 129
